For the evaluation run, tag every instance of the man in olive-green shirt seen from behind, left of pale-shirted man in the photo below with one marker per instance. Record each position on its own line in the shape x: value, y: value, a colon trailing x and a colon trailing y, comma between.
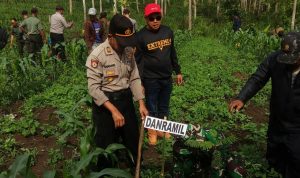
x: 34, y: 32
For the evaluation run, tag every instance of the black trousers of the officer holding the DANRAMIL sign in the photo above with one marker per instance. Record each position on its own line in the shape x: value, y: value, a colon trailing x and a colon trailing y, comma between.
x: 105, y: 129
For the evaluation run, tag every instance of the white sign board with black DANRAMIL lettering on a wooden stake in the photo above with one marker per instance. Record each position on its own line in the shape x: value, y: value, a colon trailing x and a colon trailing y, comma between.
x: 165, y: 126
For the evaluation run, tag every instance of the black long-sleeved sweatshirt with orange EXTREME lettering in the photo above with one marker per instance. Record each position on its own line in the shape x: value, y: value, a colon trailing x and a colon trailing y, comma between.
x: 156, y: 55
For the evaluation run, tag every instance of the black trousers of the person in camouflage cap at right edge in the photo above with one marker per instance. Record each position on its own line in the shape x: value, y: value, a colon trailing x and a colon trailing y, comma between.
x: 283, y: 153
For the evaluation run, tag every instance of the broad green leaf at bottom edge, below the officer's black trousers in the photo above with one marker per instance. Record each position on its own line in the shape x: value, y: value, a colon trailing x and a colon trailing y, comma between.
x: 111, y: 172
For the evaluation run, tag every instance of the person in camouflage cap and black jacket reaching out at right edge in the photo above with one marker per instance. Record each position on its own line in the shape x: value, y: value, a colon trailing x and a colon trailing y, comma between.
x: 282, y: 67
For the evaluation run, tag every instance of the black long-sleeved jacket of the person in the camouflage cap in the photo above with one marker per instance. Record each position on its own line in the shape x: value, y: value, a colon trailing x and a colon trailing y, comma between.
x: 285, y: 99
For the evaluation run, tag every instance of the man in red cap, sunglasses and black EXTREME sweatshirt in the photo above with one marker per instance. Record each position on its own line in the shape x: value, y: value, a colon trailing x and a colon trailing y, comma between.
x: 157, y: 60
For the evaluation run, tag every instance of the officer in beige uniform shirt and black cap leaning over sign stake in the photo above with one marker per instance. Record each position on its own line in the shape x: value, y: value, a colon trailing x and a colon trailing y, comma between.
x: 113, y: 78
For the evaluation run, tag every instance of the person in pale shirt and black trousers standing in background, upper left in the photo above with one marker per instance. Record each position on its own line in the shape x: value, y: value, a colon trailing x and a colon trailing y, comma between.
x: 57, y: 25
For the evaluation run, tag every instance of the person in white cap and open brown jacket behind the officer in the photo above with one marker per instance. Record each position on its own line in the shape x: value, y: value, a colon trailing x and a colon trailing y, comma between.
x: 94, y: 33
